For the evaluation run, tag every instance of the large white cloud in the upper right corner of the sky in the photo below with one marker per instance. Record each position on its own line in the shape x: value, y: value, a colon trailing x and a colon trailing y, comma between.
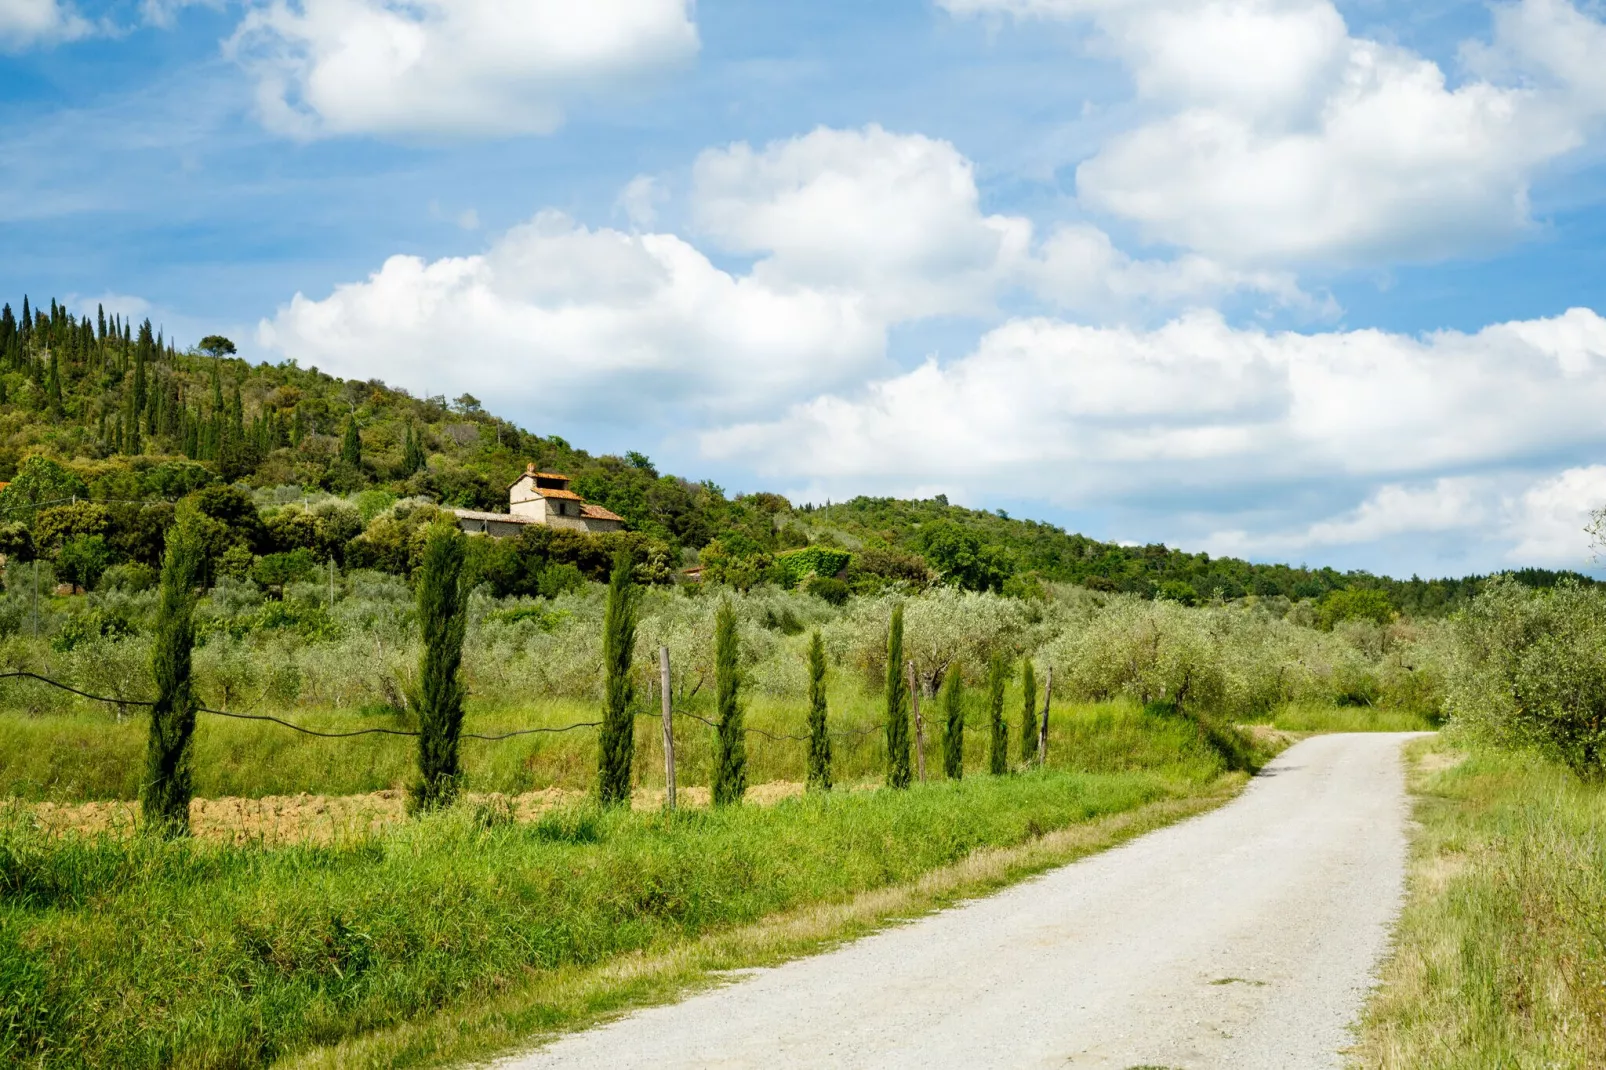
x: 1282, y: 139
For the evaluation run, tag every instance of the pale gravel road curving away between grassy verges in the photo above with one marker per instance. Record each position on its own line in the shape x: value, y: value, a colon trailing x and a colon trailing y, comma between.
x: 1245, y: 939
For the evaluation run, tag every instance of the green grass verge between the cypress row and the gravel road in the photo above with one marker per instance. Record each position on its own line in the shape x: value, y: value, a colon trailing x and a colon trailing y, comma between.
x: 128, y: 952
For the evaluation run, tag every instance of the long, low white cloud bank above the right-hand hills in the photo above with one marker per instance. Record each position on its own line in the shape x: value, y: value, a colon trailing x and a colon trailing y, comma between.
x: 1091, y: 415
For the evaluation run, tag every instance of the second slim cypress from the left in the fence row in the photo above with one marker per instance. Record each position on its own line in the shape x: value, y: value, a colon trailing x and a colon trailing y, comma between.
x: 439, y: 698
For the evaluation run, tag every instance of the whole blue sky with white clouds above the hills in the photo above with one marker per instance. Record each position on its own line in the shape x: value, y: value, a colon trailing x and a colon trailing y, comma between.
x: 1290, y: 280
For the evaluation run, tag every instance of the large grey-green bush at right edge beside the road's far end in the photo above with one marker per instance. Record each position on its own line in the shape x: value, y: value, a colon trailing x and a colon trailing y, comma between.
x: 1531, y: 672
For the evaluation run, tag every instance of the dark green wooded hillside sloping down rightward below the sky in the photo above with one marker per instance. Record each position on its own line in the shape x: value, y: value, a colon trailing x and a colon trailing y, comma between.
x: 132, y: 423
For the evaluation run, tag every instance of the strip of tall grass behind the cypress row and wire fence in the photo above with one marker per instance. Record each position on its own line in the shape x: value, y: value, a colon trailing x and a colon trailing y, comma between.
x: 81, y: 758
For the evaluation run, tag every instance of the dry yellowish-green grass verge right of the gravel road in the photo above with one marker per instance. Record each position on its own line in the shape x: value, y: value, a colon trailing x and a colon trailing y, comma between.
x: 1501, y: 952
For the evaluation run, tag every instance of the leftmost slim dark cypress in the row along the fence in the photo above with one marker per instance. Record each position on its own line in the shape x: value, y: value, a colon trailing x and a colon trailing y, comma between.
x: 165, y: 796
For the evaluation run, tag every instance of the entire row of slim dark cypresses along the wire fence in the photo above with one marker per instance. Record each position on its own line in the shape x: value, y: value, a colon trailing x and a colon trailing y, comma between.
x: 439, y: 696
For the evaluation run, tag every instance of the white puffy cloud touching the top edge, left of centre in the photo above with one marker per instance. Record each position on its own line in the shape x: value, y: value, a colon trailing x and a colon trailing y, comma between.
x: 449, y: 68
